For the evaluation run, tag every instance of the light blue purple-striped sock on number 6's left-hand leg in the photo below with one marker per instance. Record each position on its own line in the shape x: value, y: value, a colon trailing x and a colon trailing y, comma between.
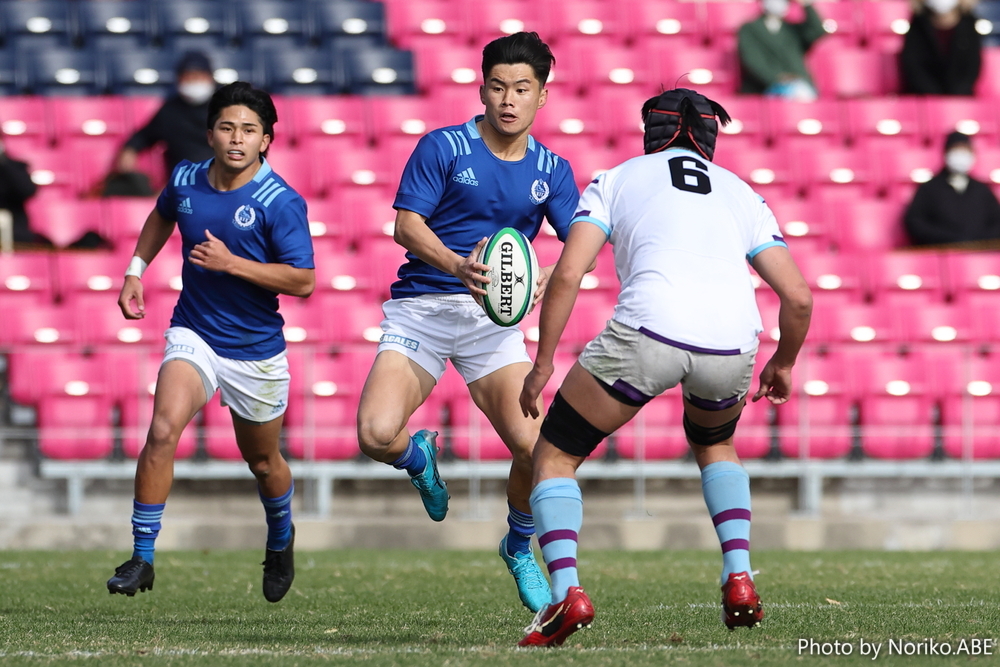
x: 557, y: 506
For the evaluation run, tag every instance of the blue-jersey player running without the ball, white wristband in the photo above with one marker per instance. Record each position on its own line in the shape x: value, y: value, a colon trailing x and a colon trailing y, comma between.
x: 246, y: 240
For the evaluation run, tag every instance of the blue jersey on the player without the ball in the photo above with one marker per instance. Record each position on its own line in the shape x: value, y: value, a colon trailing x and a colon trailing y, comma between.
x: 264, y: 221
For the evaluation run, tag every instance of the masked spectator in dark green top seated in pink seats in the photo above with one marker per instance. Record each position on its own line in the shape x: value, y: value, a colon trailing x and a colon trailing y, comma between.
x: 772, y: 52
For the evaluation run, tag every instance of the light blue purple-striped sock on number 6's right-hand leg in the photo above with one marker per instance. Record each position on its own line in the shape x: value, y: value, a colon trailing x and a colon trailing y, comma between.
x: 726, y: 487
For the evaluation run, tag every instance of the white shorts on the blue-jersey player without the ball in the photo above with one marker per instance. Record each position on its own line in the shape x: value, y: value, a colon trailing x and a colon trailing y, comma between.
x: 256, y: 391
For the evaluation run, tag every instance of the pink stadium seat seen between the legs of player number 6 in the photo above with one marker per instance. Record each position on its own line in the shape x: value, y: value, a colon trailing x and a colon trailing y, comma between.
x: 657, y: 432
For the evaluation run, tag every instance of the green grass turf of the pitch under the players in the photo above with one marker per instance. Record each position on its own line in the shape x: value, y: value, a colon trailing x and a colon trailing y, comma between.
x: 454, y: 608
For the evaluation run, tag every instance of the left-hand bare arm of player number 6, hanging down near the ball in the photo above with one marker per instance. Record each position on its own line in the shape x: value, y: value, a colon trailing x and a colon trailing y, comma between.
x: 582, y: 246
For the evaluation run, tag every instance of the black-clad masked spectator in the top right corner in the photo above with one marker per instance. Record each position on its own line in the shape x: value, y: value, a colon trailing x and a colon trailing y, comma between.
x: 942, y: 52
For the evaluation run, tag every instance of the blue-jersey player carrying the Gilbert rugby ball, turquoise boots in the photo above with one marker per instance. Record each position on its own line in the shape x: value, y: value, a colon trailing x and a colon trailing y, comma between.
x: 462, y: 184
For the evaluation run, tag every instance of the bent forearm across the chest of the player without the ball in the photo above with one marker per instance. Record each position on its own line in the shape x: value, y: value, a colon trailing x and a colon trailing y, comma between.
x: 212, y: 254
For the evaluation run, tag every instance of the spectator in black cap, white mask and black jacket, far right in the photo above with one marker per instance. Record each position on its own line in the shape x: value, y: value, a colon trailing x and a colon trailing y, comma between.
x: 953, y: 207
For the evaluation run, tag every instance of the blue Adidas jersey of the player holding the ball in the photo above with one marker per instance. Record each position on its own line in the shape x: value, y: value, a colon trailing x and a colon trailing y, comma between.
x: 467, y: 193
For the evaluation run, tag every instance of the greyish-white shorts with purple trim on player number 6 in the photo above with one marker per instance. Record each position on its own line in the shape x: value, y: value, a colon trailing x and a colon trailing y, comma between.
x: 642, y: 367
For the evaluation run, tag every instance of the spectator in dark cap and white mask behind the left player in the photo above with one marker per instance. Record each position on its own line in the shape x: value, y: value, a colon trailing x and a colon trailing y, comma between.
x: 180, y: 122
